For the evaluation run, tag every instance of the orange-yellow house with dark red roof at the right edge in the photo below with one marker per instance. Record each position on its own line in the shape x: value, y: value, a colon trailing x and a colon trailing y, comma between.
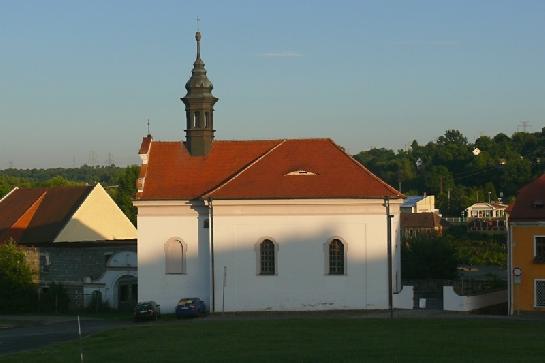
x: 527, y: 249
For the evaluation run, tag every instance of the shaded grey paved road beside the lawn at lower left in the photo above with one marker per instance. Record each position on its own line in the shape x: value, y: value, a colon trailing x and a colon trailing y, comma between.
x: 14, y: 339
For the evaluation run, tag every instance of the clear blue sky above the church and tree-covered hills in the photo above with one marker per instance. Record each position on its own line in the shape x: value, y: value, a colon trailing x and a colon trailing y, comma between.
x: 79, y: 79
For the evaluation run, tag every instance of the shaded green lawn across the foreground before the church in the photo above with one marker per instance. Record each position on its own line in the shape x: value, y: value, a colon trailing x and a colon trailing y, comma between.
x: 308, y: 340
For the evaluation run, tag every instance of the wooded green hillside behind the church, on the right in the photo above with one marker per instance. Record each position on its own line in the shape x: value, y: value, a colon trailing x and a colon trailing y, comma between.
x: 460, y: 173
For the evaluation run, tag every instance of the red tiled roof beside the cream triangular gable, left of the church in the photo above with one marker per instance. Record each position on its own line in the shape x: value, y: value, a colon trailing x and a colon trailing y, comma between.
x: 37, y: 215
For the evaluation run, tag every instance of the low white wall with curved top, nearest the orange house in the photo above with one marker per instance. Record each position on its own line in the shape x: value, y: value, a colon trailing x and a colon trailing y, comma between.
x: 454, y: 302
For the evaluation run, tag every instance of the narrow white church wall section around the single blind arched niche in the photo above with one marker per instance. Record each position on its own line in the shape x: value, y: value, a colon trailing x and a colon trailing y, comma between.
x: 155, y: 226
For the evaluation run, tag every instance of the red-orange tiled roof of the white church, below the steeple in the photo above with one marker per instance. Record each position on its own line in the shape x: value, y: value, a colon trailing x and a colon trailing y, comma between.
x: 272, y: 169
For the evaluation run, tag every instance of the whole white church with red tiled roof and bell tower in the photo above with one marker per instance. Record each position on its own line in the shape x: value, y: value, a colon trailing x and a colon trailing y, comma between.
x: 259, y: 225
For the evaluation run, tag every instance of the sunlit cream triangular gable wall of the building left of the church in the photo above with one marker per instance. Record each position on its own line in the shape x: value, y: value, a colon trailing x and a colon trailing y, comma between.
x: 98, y: 218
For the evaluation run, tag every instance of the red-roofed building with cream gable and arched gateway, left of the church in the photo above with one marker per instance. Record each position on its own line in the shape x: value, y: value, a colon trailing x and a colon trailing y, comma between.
x: 74, y: 236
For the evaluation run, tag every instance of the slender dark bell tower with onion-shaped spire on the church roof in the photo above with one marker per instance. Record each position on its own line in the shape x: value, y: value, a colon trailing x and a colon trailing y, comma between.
x: 199, y: 108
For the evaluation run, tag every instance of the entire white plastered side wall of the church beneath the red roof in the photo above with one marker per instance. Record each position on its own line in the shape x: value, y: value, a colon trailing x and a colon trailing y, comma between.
x: 300, y: 230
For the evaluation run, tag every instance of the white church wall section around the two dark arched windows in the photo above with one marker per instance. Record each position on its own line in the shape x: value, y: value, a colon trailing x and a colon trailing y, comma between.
x: 301, y: 282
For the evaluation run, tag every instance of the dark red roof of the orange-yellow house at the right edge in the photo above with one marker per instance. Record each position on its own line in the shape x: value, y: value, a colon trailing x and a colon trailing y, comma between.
x: 530, y: 201
